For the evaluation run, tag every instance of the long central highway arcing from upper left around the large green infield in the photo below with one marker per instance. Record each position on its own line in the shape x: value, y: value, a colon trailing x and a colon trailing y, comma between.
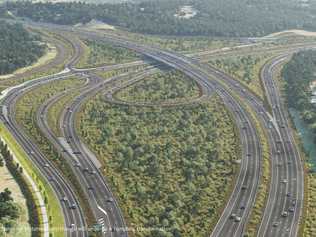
x: 250, y: 174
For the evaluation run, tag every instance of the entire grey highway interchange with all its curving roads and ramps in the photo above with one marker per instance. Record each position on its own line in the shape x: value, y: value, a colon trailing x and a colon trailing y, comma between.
x: 287, y: 186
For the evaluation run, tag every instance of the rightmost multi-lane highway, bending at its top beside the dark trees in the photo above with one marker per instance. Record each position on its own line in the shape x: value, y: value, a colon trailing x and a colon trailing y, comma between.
x: 291, y: 198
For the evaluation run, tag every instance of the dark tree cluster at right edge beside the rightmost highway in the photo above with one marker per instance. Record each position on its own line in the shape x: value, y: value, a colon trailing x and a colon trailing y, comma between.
x: 298, y: 73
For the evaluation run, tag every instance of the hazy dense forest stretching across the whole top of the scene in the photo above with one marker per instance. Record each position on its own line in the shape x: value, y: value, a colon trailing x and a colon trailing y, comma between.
x: 214, y: 17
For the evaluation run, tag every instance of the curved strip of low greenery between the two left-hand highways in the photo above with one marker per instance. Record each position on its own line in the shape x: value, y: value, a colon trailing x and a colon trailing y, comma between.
x: 26, y: 109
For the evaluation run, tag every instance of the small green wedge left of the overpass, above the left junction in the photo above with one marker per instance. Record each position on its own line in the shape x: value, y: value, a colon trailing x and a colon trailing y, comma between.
x: 100, y: 53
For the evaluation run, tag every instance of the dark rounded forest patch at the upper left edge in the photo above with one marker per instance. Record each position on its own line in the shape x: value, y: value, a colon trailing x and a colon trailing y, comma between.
x: 18, y: 48
